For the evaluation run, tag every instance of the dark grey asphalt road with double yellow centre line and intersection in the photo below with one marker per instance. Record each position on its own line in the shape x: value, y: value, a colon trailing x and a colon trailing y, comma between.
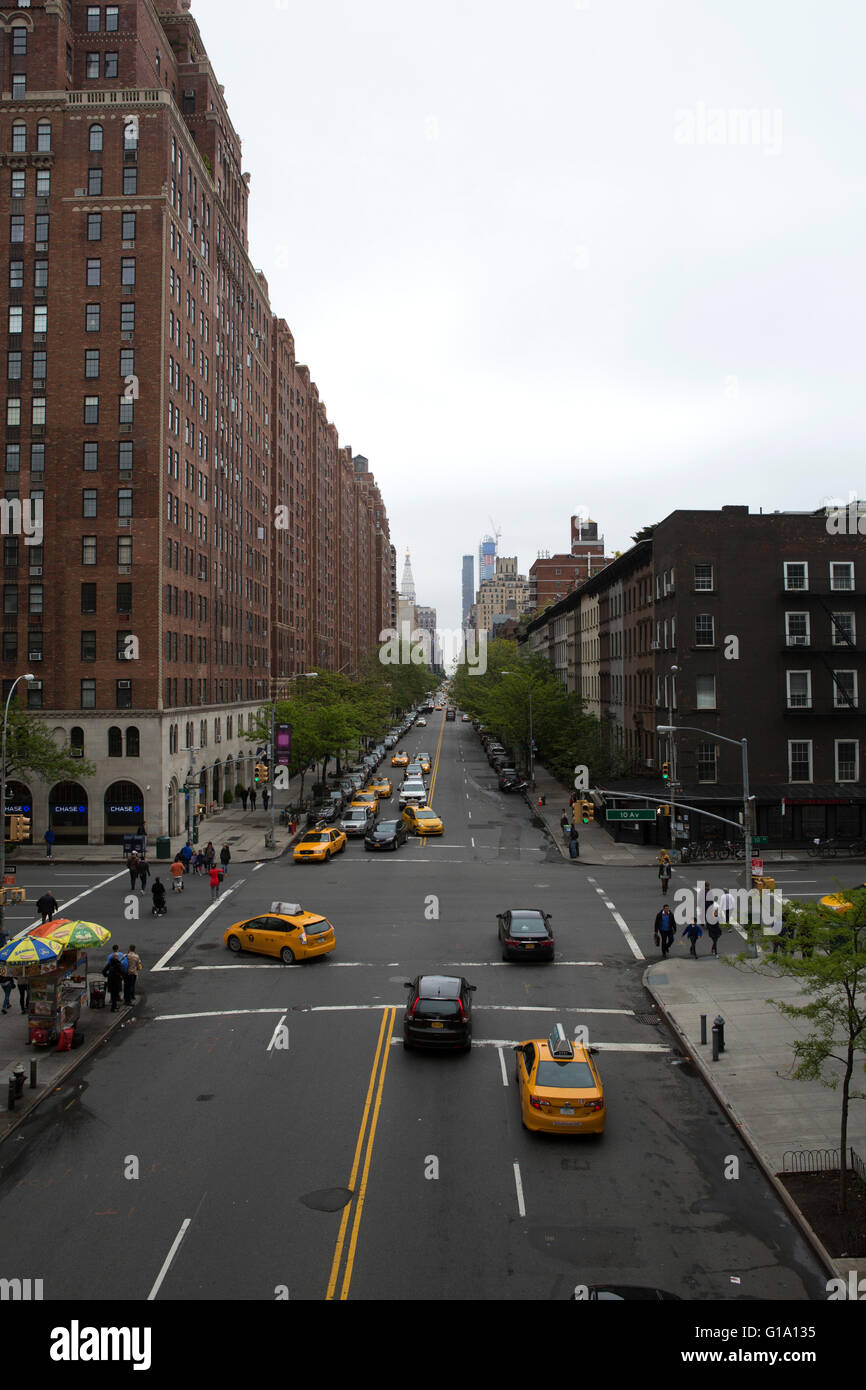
x: 245, y: 1149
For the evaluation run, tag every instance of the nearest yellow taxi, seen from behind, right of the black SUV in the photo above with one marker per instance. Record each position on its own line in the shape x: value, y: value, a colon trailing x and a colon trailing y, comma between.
x: 559, y: 1086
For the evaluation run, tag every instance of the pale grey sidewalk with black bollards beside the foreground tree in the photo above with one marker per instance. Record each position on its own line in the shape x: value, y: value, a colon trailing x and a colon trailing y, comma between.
x: 753, y: 1078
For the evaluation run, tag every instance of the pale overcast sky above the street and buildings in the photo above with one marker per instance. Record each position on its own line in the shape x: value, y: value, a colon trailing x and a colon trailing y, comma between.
x: 539, y: 258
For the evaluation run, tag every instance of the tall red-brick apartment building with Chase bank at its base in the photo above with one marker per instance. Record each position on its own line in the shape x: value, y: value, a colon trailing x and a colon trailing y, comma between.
x: 156, y: 411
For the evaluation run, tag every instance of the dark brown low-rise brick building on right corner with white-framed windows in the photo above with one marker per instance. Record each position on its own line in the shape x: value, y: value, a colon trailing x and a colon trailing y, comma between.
x: 744, y: 626
